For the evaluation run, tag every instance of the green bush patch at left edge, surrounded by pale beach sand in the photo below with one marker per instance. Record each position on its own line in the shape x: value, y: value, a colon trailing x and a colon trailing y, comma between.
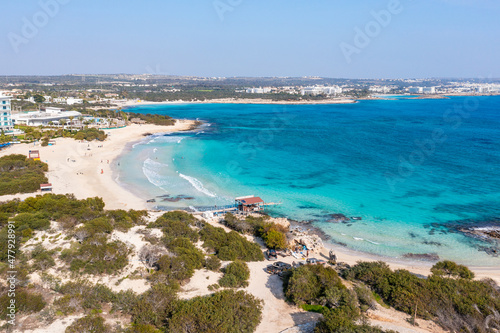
x: 18, y: 174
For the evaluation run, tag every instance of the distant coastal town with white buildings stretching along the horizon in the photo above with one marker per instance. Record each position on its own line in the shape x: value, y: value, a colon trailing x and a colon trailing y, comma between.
x: 71, y: 101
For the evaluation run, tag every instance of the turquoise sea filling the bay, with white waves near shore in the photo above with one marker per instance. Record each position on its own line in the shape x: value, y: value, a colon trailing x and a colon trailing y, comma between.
x: 415, y: 171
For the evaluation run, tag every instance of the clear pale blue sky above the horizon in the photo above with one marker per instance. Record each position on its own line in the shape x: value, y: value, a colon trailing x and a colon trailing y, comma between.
x: 225, y: 38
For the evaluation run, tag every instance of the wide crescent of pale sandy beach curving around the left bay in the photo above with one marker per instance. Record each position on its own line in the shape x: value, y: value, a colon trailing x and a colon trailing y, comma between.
x: 85, y: 168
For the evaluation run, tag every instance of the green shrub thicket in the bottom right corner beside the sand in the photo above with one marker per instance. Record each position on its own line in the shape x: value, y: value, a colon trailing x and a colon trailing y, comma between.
x: 449, y: 296
